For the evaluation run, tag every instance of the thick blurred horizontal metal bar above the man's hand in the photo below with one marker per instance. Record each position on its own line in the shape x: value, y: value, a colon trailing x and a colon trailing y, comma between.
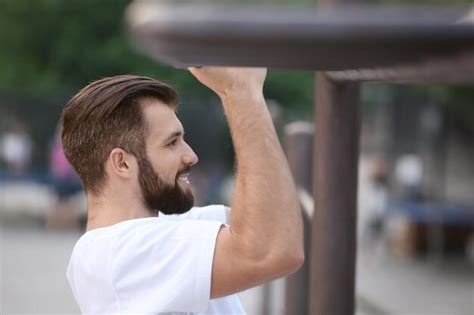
x: 304, y: 38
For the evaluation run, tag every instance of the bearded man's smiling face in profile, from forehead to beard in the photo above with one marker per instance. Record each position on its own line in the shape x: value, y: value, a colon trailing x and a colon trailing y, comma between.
x: 164, y: 168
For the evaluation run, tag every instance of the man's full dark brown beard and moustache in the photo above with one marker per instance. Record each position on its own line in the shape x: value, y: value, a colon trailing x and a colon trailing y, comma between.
x: 160, y: 196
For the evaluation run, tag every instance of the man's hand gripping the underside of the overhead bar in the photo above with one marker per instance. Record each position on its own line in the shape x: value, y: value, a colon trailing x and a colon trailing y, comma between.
x: 231, y: 81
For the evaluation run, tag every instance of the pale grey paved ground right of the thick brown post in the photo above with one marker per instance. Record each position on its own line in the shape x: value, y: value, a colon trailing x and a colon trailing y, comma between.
x: 417, y: 287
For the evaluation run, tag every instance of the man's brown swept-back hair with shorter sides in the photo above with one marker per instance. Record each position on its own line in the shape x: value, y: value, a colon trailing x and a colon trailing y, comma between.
x: 104, y: 115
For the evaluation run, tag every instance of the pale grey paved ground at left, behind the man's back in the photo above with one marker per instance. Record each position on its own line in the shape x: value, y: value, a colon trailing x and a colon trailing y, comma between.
x: 32, y: 271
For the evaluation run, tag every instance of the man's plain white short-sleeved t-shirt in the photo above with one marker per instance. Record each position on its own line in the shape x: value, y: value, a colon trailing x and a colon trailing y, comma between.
x: 150, y: 266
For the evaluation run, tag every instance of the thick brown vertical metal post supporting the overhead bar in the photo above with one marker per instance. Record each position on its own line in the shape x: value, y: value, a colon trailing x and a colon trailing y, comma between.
x: 335, y: 191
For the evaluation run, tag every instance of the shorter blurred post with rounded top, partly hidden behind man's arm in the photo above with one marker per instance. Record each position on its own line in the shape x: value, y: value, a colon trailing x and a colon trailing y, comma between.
x: 299, y: 147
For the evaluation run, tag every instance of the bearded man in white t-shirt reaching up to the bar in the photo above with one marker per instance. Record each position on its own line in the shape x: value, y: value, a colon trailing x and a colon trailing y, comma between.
x: 124, y: 140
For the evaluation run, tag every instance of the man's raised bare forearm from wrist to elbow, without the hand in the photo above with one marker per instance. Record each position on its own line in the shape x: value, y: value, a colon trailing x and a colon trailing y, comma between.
x: 265, y: 209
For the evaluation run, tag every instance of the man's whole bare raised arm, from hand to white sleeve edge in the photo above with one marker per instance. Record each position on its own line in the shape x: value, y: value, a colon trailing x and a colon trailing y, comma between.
x: 265, y: 239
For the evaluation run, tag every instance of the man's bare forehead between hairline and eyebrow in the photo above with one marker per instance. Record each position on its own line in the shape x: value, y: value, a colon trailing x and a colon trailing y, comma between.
x: 161, y: 119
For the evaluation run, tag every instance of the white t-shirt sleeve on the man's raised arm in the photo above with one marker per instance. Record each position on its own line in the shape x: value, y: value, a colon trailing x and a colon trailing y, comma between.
x: 165, y: 267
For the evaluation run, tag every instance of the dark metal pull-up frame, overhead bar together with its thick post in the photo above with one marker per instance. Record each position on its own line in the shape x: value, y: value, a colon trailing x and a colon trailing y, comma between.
x: 349, y: 44
